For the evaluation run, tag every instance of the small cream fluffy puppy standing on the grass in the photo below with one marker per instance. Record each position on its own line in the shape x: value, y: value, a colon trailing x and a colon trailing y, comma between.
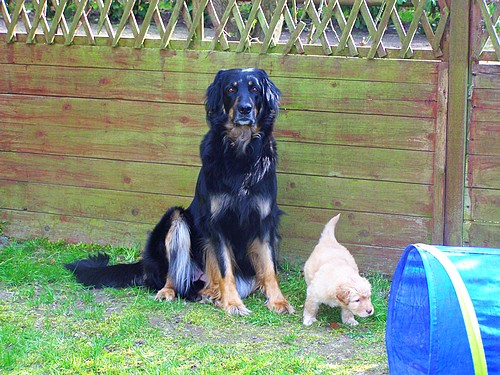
x: 333, y: 279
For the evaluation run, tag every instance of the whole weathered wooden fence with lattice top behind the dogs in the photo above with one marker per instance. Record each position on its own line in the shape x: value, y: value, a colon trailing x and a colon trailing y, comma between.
x: 100, y: 122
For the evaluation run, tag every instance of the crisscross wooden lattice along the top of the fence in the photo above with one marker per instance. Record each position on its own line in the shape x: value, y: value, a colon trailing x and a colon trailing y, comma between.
x: 316, y: 27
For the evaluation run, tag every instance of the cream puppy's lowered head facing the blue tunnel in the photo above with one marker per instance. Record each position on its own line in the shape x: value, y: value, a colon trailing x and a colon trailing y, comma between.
x: 355, y: 296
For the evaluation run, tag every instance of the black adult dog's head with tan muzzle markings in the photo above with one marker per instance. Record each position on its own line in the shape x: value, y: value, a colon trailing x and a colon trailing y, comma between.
x: 242, y: 103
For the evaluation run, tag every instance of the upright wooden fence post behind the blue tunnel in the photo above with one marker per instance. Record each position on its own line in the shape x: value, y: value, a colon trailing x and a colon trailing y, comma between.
x: 458, y: 89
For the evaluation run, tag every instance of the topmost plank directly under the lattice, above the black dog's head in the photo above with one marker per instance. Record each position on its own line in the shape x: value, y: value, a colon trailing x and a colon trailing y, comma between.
x: 423, y: 72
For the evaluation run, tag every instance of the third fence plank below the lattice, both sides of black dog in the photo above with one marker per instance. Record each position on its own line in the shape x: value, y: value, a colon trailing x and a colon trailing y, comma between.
x: 292, y: 125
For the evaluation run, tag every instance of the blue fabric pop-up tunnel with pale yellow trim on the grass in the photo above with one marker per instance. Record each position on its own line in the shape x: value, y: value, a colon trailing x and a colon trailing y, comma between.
x: 444, y: 311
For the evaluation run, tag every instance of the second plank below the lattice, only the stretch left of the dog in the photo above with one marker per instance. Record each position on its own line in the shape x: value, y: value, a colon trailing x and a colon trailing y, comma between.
x: 104, y: 83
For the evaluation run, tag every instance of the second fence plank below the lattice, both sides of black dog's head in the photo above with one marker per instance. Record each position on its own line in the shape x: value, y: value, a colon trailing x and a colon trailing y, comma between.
x: 412, y: 100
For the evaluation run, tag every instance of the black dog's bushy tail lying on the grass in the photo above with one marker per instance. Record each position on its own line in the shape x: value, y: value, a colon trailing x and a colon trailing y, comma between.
x: 96, y: 272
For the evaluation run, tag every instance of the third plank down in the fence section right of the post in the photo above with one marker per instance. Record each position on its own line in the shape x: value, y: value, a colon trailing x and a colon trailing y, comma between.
x: 484, y: 138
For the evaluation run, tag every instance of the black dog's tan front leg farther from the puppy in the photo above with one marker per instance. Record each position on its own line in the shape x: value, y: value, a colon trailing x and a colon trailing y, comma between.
x: 219, y: 288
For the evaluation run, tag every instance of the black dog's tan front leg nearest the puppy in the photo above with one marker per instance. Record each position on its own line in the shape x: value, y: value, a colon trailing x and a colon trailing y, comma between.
x: 261, y: 258
